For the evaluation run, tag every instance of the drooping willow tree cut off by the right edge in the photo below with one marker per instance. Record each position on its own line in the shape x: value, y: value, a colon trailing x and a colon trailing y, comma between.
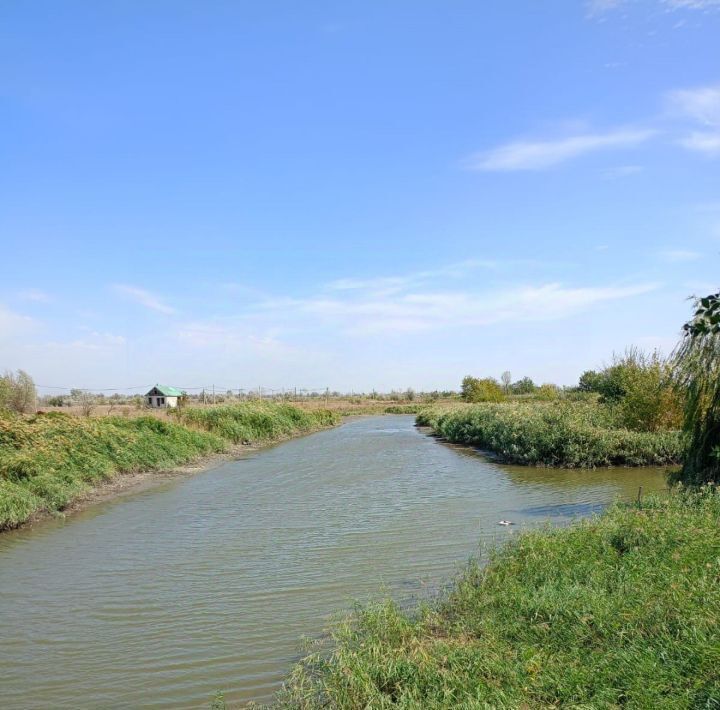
x: 697, y: 369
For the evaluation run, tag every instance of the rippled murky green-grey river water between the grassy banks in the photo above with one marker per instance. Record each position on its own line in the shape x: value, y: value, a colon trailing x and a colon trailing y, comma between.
x: 158, y: 599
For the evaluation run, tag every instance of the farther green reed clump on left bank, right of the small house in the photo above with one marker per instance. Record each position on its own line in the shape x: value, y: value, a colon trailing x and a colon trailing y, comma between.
x: 250, y: 422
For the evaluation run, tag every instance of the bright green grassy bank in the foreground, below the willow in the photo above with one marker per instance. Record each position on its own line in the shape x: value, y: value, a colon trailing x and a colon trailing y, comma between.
x: 621, y: 610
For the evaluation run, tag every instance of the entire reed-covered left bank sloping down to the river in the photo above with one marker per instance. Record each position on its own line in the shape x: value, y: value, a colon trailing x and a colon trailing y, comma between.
x: 47, y: 461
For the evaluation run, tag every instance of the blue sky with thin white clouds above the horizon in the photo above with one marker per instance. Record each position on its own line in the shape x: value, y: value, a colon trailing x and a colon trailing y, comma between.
x: 355, y: 195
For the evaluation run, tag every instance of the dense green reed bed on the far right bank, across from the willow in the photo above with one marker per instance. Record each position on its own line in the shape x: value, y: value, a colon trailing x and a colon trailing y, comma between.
x: 568, y: 434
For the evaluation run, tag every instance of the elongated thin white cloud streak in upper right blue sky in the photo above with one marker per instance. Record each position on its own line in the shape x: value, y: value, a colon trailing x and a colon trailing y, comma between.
x: 543, y: 154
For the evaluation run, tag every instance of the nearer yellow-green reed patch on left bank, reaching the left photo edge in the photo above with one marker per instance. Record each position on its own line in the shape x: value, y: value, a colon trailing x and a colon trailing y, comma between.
x: 48, y: 460
